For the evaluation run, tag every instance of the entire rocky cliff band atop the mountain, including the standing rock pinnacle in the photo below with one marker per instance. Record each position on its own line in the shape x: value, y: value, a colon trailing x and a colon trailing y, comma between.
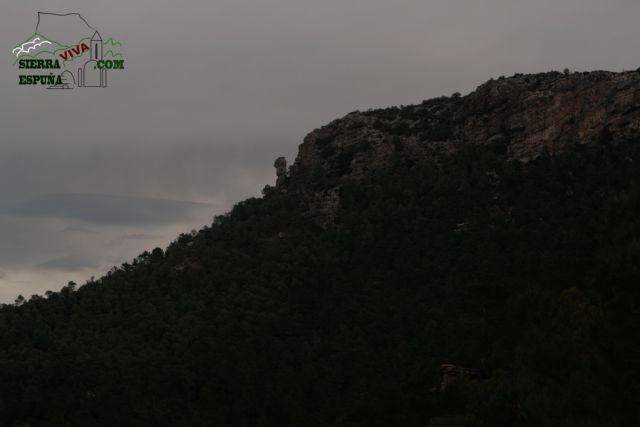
x: 526, y: 116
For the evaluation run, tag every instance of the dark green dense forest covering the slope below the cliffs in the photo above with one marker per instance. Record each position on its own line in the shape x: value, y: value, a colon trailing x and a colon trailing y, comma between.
x: 524, y: 273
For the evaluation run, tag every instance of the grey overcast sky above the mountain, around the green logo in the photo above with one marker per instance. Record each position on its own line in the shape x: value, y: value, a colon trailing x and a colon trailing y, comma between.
x: 214, y: 91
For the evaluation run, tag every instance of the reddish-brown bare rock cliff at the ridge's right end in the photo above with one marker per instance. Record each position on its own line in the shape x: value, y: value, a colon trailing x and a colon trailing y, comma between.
x: 549, y: 114
